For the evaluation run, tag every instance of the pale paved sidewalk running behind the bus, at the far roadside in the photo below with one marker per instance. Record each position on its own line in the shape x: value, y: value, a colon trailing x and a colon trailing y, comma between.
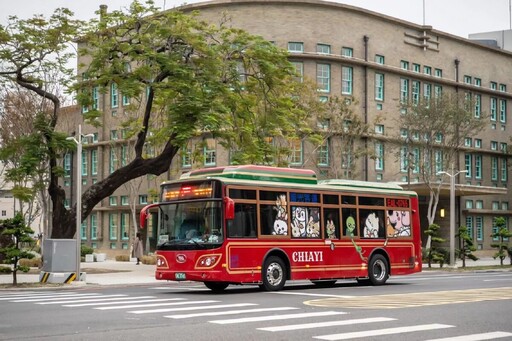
x: 111, y: 272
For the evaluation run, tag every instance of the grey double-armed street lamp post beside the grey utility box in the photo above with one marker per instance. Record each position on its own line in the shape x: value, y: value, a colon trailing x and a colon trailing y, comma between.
x: 78, y: 142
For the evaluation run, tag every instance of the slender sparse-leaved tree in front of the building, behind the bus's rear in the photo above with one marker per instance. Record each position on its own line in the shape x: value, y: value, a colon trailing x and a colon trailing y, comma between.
x: 432, y: 131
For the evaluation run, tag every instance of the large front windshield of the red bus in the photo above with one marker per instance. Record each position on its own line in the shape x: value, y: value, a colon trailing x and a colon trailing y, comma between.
x: 190, y: 225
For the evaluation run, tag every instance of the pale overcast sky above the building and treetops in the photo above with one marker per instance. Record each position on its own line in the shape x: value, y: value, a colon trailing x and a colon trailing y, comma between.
x: 458, y: 17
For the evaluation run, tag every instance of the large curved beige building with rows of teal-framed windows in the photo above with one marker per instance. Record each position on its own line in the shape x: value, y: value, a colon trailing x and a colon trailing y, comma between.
x: 376, y: 59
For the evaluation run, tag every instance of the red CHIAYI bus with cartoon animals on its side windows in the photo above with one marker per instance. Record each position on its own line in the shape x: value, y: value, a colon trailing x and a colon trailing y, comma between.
x: 266, y: 225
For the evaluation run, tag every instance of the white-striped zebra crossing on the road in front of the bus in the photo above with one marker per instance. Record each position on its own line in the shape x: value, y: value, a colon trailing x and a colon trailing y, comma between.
x: 334, y: 324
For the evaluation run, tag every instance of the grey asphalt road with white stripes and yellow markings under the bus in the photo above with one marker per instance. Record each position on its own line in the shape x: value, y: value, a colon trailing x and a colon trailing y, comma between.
x: 426, y: 306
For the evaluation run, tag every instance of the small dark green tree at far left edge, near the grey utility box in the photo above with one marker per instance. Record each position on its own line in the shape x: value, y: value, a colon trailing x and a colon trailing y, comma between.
x: 20, y: 235
